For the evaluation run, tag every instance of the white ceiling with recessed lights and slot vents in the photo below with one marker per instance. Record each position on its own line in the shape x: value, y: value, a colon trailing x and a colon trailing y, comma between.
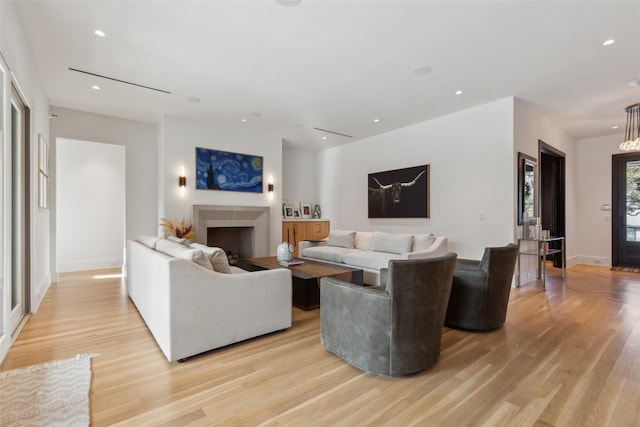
x: 338, y: 65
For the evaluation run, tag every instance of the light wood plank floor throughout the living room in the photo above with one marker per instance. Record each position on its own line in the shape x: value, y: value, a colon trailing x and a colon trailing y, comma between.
x: 567, y: 357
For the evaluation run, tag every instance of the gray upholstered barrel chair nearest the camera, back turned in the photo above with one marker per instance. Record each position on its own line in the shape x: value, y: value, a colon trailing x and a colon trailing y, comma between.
x: 395, y: 328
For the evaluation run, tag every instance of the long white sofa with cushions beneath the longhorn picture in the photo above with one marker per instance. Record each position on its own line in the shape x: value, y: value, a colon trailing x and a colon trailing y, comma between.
x: 372, y: 250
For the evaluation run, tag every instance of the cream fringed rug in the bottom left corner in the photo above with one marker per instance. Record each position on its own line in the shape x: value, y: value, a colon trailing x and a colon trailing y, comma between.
x: 52, y: 394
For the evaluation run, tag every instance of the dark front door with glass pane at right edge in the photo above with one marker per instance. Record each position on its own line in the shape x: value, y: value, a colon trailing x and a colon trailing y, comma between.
x: 626, y: 210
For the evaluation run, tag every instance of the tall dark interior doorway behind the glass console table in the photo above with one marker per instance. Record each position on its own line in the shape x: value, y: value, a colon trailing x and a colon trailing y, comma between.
x: 552, y: 194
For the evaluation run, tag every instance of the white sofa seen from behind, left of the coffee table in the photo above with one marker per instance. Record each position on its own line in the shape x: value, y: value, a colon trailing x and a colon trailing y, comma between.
x: 190, y: 308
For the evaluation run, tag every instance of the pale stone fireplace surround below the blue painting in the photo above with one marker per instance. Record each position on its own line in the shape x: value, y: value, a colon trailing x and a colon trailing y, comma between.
x: 208, y: 216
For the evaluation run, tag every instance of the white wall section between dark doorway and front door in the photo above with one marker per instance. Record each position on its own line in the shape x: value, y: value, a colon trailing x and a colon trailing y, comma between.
x: 594, y: 189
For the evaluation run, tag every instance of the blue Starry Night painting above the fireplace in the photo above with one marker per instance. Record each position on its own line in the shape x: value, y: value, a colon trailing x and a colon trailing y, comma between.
x: 221, y: 170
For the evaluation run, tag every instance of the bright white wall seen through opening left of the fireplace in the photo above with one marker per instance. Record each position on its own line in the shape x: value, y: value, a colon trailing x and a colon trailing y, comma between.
x: 90, y: 205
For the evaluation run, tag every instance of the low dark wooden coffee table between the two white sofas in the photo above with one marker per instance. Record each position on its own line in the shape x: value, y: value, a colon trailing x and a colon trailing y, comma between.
x: 306, y: 277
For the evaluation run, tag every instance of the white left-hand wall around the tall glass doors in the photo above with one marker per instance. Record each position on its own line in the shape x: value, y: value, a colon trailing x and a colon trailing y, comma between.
x: 17, y: 53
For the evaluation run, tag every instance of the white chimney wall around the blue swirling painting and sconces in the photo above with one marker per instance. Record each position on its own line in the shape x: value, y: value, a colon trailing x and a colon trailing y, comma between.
x: 179, y: 139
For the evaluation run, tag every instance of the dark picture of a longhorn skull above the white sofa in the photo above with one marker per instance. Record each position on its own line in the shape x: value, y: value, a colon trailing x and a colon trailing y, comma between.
x: 399, y: 193
